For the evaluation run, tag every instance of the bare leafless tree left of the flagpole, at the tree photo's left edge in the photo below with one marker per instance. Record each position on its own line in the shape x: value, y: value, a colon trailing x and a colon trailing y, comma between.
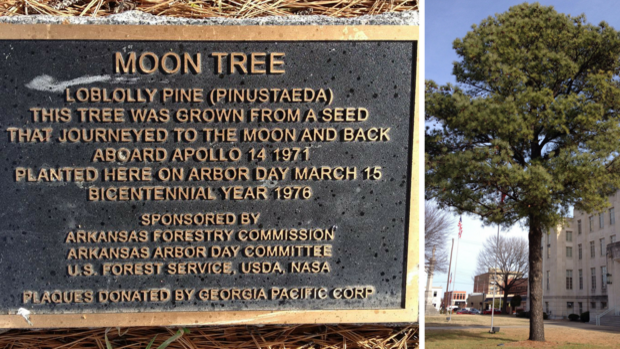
x: 437, y: 227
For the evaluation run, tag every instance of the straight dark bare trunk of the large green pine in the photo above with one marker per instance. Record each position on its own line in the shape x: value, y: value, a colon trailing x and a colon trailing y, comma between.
x: 537, y: 327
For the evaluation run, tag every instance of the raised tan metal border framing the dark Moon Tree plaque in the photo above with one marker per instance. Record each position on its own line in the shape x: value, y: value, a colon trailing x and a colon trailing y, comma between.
x: 409, y: 310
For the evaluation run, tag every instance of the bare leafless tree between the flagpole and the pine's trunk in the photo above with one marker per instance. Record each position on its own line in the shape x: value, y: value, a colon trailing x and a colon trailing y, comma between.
x: 508, y: 255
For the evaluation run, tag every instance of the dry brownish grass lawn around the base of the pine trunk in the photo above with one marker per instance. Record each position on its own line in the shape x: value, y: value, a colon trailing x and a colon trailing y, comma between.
x: 557, y: 337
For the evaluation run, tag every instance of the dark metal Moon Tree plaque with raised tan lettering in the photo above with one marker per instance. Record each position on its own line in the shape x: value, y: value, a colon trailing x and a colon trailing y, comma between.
x: 217, y: 179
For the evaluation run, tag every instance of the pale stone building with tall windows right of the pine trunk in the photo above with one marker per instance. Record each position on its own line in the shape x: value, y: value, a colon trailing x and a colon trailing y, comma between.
x: 575, y: 266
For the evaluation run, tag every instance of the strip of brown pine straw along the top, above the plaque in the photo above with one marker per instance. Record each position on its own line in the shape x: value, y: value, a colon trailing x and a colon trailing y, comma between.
x: 207, y: 8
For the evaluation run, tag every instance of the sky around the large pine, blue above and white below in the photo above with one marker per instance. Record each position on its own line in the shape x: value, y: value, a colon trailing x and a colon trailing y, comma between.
x: 446, y: 20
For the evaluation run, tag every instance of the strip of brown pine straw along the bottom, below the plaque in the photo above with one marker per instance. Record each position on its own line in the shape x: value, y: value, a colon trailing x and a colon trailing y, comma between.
x: 233, y: 337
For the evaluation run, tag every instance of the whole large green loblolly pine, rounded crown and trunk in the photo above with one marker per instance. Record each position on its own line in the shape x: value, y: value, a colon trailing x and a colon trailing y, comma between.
x: 535, y: 117
